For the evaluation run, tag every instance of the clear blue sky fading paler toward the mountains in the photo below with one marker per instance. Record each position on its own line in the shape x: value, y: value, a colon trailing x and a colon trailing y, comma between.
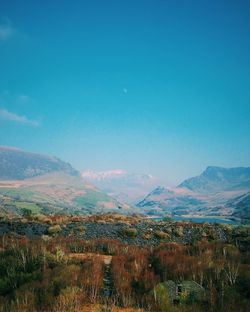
x: 160, y: 87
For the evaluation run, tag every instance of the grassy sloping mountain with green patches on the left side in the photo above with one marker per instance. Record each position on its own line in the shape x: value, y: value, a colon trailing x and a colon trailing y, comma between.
x: 48, y: 185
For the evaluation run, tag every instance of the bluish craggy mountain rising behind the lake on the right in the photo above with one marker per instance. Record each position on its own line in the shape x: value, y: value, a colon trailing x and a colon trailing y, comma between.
x: 215, y: 192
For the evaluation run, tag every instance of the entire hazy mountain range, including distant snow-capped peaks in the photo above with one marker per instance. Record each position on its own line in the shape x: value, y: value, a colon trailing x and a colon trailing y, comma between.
x: 46, y: 184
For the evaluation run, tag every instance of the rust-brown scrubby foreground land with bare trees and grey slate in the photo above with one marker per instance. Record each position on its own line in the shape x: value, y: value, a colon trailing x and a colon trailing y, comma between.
x: 122, y: 263
